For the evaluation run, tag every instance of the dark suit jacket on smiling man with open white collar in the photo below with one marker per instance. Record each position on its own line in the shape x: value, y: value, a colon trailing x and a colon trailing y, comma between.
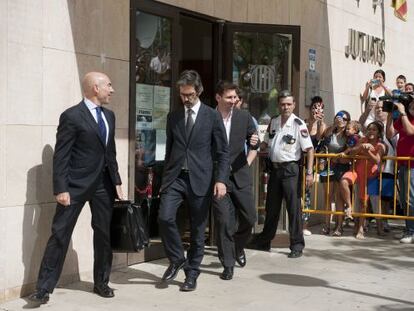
x: 242, y: 128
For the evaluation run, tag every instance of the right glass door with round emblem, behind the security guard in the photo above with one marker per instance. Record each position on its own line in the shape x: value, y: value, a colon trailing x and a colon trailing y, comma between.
x: 262, y: 60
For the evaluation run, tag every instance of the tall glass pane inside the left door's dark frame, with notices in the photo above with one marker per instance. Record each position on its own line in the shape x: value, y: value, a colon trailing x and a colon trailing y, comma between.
x: 153, y: 97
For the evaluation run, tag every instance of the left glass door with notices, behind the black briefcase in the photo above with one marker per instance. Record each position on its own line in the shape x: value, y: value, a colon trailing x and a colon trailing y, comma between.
x: 153, y: 71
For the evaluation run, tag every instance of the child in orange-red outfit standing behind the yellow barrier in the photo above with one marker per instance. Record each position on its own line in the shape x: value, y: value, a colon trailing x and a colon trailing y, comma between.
x: 372, y: 149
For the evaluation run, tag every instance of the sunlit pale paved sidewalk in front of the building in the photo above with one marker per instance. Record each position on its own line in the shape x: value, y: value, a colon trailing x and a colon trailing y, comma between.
x: 334, y: 274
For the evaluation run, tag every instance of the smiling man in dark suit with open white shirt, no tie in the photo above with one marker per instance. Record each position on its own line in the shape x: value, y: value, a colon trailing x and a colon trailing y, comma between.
x: 235, y: 213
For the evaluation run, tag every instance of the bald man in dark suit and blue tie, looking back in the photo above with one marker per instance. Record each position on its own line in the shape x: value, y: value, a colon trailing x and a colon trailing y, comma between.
x: 84, y: 169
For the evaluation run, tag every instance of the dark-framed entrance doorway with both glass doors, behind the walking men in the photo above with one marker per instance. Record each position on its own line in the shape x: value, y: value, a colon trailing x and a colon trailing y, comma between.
x: 165, y: 40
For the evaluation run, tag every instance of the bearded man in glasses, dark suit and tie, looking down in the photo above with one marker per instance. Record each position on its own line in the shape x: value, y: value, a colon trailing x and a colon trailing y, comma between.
x: 195, y: 135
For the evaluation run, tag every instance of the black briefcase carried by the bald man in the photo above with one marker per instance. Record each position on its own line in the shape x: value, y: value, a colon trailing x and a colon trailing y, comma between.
x: 128, y: 228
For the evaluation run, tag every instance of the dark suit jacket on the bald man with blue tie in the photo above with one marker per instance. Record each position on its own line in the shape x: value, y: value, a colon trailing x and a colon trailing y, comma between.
x: 81, y: 155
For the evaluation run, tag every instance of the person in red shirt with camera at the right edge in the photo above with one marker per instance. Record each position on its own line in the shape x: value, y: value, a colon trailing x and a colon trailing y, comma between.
x: 404, y: 126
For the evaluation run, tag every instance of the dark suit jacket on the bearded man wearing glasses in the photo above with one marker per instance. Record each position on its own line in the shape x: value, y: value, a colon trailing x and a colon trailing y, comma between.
x: 207, y: 141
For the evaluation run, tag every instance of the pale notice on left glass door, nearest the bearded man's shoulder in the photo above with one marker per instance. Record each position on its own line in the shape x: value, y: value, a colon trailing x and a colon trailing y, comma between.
x: 162, y: 95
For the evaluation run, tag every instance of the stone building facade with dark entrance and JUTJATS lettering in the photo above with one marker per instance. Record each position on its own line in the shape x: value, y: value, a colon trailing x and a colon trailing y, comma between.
x: 47, y: 46
